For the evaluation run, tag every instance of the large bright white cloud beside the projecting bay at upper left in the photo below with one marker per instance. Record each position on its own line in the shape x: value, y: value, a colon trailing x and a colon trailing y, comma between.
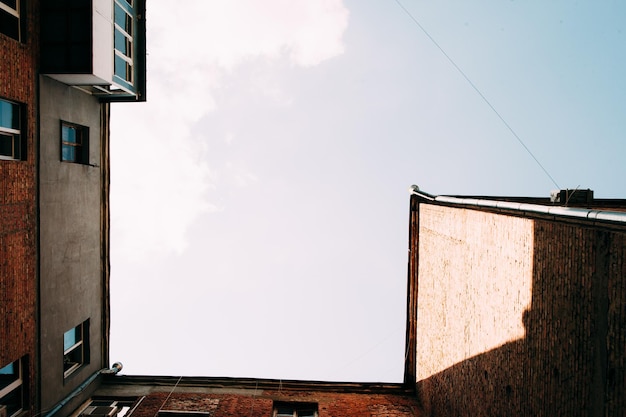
x: 161, y: 179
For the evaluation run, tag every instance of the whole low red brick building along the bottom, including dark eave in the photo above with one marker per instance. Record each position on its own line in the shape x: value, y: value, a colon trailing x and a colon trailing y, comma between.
x: 215, y: 397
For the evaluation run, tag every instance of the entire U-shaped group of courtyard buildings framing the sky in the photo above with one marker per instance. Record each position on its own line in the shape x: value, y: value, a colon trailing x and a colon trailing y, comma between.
x: 515, y: 306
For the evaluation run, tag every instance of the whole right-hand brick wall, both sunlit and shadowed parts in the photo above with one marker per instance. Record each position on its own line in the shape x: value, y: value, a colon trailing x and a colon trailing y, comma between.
x: 519, y: 316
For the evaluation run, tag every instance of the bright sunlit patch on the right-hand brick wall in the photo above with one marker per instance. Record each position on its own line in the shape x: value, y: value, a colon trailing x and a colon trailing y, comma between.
x: 475, y: 278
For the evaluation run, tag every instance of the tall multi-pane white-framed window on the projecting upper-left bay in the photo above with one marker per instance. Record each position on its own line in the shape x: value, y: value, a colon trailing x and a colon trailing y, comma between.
x: 123, y: 39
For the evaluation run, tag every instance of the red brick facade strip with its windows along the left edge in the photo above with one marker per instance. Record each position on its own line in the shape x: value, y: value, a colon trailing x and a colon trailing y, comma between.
x: 19, y: 54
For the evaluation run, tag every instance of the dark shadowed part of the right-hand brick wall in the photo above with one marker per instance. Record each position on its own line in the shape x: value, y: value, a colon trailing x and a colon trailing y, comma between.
x: 571, y: 361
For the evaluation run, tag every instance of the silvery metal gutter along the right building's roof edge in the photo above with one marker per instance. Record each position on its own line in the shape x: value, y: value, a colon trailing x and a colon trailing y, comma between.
x: 571, y: 212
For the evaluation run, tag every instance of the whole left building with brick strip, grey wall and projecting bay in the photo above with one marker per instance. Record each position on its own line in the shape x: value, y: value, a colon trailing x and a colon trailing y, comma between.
x: 62, y: 62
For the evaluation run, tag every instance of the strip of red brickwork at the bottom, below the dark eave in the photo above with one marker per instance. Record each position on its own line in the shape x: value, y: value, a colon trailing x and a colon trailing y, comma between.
x: 260, y: 405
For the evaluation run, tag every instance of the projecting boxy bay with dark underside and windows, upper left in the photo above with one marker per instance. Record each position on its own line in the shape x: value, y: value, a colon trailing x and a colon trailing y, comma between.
x: 98, y: 46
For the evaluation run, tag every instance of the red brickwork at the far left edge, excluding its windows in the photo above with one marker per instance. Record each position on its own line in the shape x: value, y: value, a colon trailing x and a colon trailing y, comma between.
x: 18, y: 63
